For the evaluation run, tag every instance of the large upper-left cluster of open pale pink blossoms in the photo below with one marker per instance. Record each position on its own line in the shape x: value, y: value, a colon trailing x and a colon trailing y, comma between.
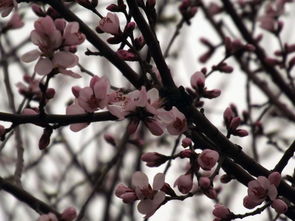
x: 56, y: 41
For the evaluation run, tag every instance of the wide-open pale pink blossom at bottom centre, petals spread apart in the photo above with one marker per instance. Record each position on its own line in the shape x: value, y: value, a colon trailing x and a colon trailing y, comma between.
x: 150, y: 197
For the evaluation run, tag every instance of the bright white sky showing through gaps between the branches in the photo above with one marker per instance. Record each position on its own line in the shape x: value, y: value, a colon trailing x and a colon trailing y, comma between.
x: 189, y: 48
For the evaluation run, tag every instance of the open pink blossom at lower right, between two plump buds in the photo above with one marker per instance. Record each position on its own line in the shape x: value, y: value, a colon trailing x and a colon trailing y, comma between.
x: 260, y: 189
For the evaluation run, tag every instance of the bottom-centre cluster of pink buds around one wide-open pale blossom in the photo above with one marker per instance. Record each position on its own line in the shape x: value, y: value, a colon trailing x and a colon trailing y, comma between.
x: 152, y: 197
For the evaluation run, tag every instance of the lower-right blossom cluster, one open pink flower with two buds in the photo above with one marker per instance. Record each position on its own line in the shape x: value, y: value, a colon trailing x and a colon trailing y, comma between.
x: 265, y: 188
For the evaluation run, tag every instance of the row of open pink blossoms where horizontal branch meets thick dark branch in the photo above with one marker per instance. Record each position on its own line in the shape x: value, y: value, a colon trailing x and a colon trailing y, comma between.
x: 138, y: 105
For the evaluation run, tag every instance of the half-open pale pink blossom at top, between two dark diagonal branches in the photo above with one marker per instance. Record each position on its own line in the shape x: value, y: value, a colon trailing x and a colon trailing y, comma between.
x: 110, y: 24
